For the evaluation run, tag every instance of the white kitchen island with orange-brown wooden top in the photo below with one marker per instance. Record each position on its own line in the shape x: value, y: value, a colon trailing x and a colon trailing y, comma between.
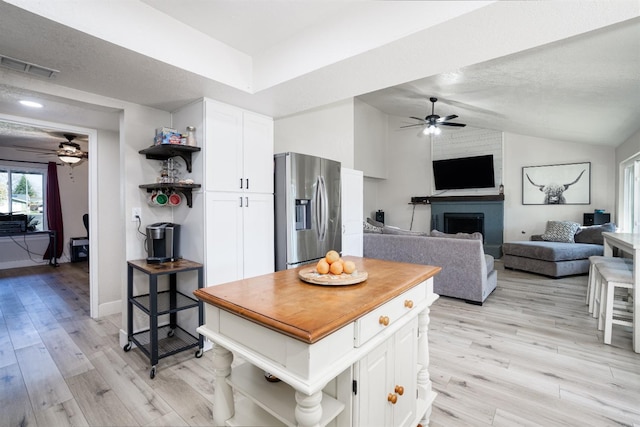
x: 354, y: 355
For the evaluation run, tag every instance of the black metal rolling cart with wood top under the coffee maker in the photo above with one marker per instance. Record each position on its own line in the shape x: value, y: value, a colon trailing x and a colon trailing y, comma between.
x: 157, y: 341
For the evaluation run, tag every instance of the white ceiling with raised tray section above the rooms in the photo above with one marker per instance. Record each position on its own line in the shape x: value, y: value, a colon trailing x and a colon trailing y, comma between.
x: 566, y: 70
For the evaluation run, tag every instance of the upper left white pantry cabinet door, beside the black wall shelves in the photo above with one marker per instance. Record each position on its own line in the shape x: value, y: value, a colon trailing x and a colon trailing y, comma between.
x: 223, y: 147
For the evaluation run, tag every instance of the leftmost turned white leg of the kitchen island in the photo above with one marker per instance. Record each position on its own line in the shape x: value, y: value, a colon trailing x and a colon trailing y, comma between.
x: 223, y: 406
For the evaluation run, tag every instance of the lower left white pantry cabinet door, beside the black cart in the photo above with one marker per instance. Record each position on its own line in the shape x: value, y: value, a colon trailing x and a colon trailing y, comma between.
x: 223, y: 237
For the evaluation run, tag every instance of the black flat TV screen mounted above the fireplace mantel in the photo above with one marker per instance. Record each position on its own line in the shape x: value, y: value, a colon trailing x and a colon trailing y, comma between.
x: 464, y: 172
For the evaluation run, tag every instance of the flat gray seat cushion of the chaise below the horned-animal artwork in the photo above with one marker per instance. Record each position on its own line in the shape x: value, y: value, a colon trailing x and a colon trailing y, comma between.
x: 551, y: 251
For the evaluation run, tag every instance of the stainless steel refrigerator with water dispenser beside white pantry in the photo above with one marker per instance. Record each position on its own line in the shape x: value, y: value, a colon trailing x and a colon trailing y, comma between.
x: 308, y: 216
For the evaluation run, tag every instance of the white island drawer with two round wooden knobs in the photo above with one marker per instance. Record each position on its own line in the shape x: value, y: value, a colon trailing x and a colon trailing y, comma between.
x: 382, y: 317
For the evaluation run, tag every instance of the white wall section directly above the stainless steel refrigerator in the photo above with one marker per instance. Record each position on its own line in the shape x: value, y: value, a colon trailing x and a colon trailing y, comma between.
x: 326, y: 132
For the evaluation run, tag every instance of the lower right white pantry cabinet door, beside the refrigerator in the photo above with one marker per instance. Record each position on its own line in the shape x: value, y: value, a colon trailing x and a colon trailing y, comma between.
x: 258, y: 234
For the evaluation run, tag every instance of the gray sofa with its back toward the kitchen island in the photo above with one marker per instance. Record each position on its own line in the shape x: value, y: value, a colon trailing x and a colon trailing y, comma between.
x: 467, y: 273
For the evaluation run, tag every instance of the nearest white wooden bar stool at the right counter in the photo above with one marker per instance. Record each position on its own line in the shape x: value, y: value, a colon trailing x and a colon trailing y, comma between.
x: 611, y: 311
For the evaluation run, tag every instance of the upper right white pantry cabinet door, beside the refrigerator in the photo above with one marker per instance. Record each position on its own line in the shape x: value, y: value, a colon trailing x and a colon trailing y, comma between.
x: 258, y: 153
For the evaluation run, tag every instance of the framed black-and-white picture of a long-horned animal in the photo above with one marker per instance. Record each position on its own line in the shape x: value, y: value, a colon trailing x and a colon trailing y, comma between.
x: 565, y: 184
